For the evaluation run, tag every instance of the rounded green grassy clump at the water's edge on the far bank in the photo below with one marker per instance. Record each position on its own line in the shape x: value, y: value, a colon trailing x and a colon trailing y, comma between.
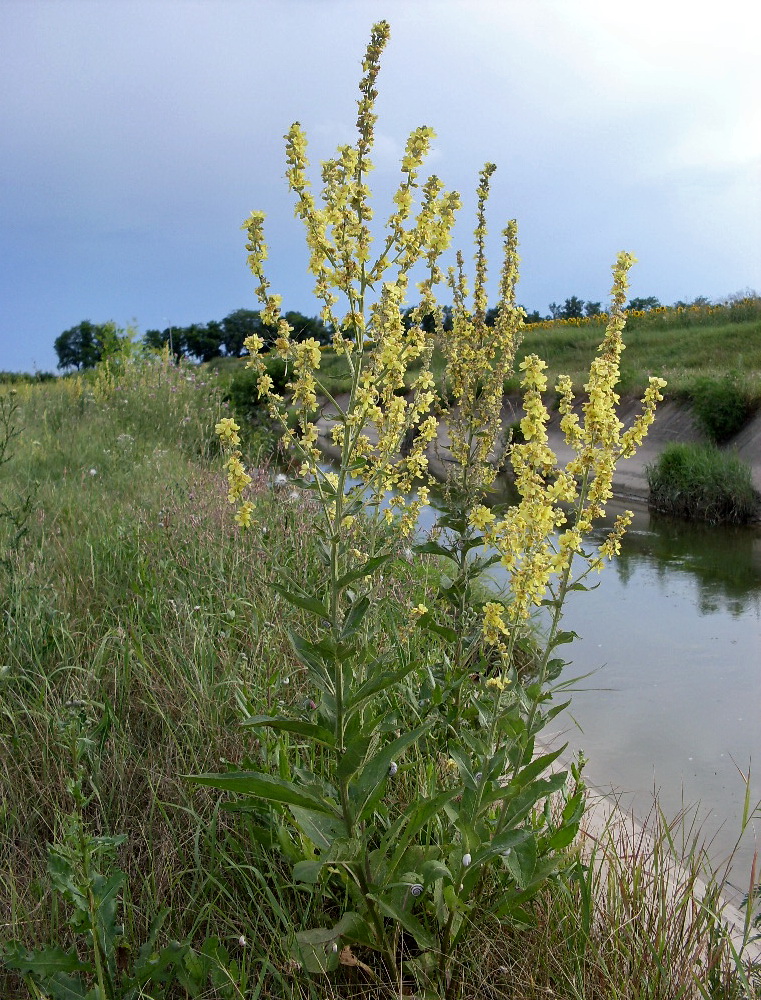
x: 702, y: 483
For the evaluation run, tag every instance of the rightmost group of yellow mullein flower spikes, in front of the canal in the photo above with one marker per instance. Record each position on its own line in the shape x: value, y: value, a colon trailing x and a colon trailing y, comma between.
x: 526, y: 537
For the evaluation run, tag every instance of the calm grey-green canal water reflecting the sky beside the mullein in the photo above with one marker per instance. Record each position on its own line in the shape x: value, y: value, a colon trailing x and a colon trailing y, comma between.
x: 671, y: 641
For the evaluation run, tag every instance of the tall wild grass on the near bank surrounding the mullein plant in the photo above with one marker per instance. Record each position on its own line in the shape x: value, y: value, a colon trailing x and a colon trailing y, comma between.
x: 134, y: 596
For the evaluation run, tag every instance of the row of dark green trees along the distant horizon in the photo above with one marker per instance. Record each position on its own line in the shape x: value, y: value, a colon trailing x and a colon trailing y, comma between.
x: 85, y: 344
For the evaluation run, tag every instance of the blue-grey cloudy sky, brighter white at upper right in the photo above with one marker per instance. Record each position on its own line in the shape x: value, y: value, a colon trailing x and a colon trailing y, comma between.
x: 137, y: 135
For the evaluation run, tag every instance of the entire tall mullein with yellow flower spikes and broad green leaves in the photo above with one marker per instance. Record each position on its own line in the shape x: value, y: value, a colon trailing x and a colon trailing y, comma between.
x: 410, y: 791
